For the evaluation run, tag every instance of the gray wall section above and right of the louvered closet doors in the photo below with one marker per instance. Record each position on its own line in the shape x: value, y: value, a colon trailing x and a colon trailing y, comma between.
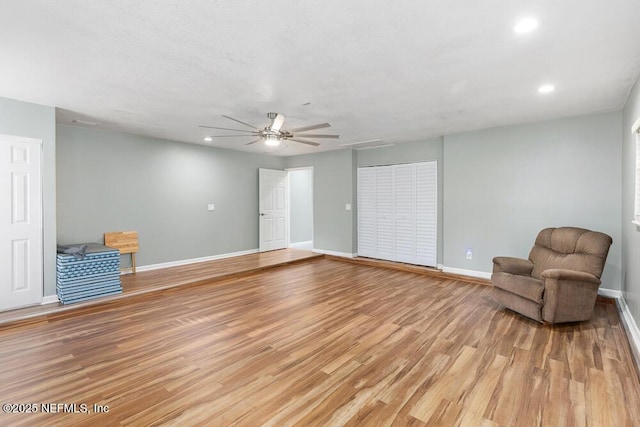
x: 412, y: 152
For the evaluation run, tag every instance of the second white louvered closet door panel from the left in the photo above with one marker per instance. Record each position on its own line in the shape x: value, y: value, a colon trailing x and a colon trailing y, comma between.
x: 385, y: 219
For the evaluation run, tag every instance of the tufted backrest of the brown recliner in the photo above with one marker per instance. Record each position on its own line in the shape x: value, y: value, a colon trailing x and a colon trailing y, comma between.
x: 570, y: 248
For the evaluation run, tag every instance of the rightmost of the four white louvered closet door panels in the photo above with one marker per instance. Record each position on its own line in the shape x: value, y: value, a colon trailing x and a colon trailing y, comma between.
x: 427, y: 214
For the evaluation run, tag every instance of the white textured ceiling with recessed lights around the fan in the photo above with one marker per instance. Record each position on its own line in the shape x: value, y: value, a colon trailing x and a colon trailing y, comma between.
x: 399, y: 71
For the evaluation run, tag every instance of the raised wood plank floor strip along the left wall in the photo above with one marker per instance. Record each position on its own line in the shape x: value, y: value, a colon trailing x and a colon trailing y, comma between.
x: 159, y: 279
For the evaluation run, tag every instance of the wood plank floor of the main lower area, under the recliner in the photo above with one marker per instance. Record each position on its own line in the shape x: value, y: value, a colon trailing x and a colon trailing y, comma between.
x: 318, y: 343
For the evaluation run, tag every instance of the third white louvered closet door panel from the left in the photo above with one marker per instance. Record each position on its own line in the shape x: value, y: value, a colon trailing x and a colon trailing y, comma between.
x: 404, y: 189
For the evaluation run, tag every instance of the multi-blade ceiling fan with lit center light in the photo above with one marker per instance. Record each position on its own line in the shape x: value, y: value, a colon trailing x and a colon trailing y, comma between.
x: 273, y: 134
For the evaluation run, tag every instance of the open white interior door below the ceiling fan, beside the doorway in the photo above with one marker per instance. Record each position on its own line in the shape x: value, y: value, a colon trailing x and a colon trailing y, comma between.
x: 273, y: 206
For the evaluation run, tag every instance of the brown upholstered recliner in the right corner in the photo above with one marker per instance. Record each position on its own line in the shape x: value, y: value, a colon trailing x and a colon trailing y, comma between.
x: 559, y: 282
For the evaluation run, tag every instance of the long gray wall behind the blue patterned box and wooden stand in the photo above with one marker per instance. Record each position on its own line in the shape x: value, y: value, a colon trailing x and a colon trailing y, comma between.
x: 111, y: 181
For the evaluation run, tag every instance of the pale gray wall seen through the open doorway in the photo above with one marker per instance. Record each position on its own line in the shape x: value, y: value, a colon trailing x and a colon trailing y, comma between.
x: 301, y: 206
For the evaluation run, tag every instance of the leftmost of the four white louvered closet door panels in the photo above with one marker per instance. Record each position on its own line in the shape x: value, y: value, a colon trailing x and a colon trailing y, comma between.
x: 367, y: 235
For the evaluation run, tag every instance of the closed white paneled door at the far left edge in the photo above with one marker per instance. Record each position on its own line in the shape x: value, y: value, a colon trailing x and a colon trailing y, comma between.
x: 20, y: 222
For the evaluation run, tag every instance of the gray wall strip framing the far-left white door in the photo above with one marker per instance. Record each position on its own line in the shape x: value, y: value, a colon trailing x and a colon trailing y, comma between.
x: 37, y: 121
